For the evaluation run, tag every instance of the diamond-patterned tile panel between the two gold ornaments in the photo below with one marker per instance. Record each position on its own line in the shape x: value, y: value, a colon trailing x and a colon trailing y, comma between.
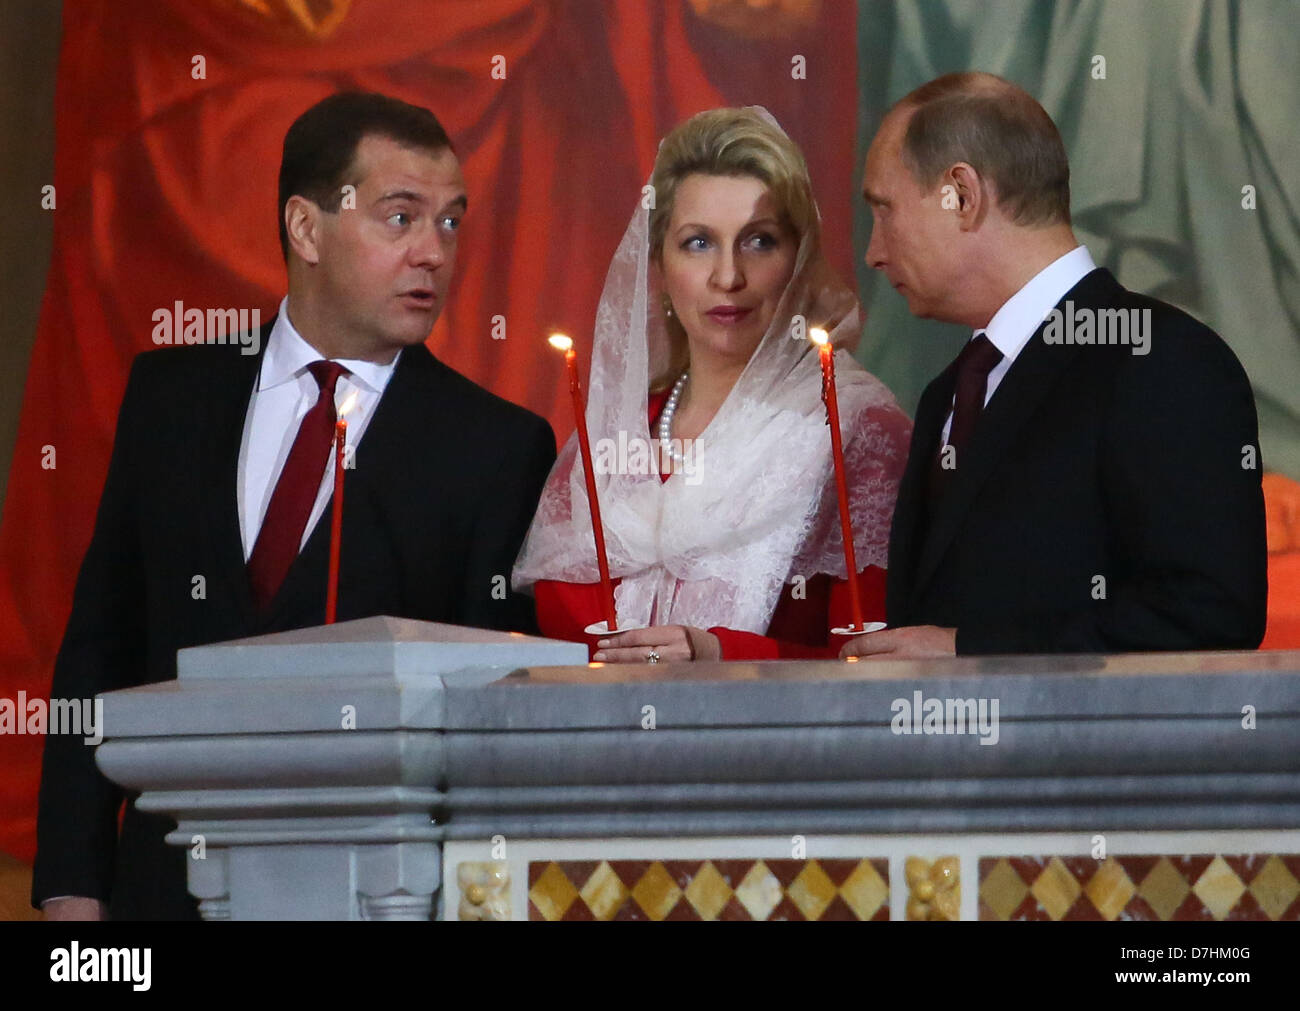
x: 777, y: 889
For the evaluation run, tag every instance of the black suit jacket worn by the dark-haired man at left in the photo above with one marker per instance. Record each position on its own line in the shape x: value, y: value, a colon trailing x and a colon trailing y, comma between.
x: 445, y: 485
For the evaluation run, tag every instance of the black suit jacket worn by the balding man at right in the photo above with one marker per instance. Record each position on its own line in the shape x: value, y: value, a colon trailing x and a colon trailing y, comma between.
x: 1093, y: 462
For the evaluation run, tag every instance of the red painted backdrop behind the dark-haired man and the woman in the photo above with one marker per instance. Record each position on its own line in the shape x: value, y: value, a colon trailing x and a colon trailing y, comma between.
x: 167, y: 190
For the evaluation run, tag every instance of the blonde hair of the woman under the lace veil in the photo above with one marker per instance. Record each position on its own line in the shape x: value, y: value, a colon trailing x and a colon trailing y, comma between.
x: 729, y: 142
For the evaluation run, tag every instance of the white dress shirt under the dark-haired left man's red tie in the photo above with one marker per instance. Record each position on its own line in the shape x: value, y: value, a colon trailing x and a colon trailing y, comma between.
x: 285, y: 392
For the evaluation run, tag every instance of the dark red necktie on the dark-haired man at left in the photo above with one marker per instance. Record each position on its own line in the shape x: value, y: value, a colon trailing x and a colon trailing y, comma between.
x: 296, y: 493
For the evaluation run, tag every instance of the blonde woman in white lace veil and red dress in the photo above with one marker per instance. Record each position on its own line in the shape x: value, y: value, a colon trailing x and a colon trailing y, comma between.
x: 709, y: 432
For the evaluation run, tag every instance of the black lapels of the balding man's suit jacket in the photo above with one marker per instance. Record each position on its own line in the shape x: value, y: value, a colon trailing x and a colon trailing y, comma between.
x: 1019, y: 397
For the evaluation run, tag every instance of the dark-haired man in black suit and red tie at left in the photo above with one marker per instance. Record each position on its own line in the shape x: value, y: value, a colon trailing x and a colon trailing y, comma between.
x: 215, y: 519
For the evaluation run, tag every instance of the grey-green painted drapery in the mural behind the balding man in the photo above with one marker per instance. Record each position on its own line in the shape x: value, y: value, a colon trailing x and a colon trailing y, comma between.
x: 1199, y: 102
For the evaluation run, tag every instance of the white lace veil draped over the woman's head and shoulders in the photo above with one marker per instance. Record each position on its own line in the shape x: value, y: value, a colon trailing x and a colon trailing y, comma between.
x: 717, y: 546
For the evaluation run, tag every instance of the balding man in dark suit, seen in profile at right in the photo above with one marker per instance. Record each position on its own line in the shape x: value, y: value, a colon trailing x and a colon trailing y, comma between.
x: 1086, y: 476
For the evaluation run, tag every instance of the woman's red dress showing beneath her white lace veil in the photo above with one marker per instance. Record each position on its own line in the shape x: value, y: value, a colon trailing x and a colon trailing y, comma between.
x: 800, y: 627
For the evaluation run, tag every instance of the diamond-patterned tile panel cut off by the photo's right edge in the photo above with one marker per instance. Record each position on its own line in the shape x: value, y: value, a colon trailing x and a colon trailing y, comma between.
x: 1207, y: 887
